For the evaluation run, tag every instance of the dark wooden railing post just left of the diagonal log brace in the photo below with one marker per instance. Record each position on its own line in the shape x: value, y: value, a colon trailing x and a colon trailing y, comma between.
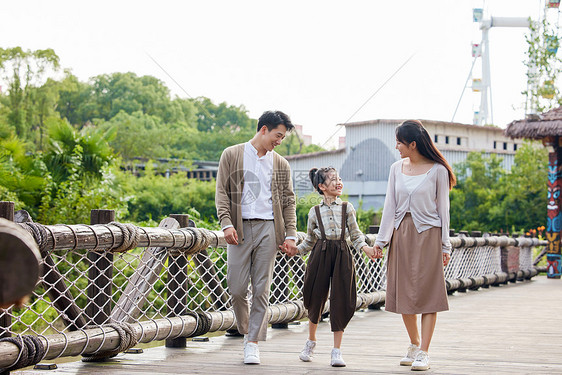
x: 100, y: 274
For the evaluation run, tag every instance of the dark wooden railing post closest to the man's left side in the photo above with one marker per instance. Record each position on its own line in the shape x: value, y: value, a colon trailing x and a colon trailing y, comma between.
x: 177, y: 284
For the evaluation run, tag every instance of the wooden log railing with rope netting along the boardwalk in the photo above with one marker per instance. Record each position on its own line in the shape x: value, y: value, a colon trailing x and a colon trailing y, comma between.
x: 106, y: 286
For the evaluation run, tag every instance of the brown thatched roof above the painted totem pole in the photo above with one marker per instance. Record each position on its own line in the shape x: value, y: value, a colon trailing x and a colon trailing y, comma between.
x: 538, y: 127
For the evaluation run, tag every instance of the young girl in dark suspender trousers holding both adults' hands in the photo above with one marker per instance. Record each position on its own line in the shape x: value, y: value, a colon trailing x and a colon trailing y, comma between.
x: 329, y: 224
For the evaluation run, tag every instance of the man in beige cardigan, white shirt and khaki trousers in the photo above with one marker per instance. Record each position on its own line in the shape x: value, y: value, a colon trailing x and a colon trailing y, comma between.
x: 256, y: 209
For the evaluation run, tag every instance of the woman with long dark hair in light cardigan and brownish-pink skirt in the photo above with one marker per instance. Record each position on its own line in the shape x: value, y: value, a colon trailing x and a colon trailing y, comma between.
x: 415, y: 222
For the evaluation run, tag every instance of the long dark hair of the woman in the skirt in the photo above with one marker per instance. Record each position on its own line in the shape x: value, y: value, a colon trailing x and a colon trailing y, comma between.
x: 413, y: 130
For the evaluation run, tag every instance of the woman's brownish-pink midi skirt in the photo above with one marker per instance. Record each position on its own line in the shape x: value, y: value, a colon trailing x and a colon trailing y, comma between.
x: 415, y: 278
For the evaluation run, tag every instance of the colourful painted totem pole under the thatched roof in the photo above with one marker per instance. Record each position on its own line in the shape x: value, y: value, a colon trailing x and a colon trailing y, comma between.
x: 554, y: 214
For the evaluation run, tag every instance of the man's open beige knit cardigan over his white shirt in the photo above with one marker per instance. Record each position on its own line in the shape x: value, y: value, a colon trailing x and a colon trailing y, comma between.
x: 230, y: 180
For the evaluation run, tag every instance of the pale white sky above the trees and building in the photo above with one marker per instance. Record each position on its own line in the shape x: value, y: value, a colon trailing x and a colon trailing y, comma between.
x: 323, y: 63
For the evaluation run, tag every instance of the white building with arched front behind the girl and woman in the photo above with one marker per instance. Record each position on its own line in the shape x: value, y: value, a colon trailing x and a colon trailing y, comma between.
x: 369, y: 151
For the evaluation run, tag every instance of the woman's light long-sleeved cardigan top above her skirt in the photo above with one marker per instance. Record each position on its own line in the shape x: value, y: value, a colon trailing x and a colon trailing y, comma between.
x: 428, y: 203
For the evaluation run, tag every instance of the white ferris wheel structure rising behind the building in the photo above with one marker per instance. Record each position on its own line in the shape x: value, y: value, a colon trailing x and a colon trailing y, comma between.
x: 480, y: 83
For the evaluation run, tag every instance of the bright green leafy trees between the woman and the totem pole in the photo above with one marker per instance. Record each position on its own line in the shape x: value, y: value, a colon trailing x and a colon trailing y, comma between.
x: 489, y: 198
